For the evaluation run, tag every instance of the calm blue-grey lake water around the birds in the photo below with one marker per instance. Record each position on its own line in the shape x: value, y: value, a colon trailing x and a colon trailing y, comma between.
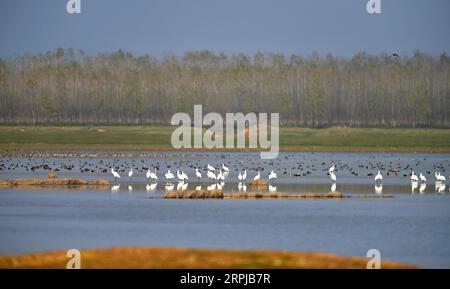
x: 411, y: 227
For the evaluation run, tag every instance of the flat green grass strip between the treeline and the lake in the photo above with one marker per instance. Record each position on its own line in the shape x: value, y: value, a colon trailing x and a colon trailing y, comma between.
x: 158, y: 137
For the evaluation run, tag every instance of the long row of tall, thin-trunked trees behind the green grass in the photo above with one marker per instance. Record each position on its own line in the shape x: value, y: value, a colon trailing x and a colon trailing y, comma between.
x: 68, y: 86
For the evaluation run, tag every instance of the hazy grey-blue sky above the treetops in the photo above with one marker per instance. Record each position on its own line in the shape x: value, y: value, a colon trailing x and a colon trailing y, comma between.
x: 341, y: 27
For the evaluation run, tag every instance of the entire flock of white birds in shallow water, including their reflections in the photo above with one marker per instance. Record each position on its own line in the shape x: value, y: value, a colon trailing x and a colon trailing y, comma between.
x: 217, y: 178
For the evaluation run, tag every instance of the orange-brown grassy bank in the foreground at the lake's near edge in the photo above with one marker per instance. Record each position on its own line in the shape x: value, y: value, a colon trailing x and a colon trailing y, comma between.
x: 189, y: 258
